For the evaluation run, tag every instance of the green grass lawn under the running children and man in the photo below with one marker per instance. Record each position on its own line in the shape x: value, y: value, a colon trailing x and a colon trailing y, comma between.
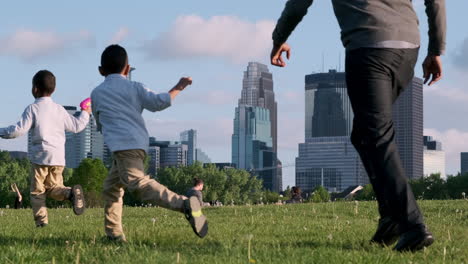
x: 305, y: 233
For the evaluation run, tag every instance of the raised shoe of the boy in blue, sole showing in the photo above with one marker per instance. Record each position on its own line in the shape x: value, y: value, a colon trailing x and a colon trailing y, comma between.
x: 194, y: 215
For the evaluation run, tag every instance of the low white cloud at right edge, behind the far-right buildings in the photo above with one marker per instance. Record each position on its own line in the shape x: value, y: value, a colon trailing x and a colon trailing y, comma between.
x: 453, y: 142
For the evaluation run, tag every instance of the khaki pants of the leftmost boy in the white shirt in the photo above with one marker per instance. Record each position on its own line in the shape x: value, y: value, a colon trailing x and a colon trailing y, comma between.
x: 46, y: 181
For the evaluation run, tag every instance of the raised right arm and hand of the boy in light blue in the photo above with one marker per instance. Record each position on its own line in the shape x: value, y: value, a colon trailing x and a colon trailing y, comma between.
x: 153, y: 101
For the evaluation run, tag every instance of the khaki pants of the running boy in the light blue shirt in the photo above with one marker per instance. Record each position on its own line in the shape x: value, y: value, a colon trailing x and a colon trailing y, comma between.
x: 128, y: 171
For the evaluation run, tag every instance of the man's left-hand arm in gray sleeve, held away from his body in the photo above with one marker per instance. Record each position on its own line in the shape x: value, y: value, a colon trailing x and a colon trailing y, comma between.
x: 292, y: 14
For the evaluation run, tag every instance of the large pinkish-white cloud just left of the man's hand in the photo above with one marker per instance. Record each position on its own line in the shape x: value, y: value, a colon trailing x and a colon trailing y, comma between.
x: 226, y: 37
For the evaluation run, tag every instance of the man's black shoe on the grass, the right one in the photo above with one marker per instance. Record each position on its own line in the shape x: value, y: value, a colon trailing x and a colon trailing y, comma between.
x: 415, y: 239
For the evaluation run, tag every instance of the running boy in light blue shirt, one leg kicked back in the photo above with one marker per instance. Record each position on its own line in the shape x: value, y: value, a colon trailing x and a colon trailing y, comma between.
x: 118, y: 104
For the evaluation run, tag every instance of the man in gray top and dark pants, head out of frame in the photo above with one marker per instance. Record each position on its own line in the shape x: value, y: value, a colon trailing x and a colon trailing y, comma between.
x: 381, y: 38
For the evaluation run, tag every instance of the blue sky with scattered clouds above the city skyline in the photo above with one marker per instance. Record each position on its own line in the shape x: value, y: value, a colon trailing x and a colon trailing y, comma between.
x: 212, y: 41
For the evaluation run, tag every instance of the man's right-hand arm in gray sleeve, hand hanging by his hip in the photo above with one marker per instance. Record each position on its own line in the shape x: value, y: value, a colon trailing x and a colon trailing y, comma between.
x: 436, y: 15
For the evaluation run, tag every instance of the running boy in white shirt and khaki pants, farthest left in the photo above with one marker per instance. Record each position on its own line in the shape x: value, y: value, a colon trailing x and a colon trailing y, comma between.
x: 47, y: 122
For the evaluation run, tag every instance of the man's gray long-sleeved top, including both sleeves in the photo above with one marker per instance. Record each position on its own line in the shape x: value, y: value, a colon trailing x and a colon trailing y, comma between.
x: 369, y: 23
